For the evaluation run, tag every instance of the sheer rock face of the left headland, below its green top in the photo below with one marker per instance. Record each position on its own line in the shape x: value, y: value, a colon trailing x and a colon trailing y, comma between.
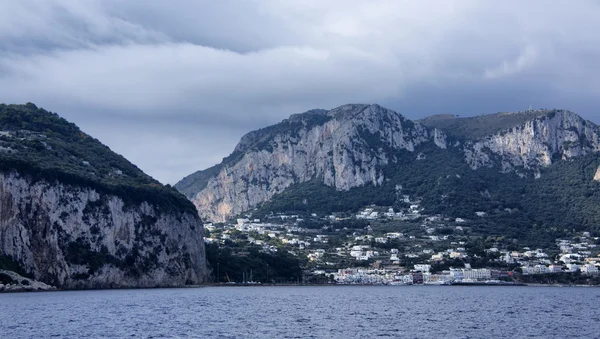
x: 74, y: 237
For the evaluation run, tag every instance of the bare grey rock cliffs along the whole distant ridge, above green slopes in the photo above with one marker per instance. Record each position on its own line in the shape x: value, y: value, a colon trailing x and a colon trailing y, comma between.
x: 351, y: 146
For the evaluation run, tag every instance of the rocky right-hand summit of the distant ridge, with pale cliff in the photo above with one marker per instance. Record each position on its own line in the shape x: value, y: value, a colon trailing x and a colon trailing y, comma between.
x: 527, y: 140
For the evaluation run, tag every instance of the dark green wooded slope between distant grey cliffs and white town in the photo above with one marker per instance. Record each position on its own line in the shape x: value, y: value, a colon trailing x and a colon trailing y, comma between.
x: 525, y: 211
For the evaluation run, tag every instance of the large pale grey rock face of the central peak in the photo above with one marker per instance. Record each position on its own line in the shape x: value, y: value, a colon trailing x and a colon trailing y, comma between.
x: 346, y: 150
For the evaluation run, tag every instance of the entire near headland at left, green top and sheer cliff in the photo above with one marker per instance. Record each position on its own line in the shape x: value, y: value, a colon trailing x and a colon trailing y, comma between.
x: 74, y: 214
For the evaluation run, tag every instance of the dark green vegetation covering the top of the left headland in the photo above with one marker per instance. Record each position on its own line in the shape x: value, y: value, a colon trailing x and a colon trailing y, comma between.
x: 43, y: 146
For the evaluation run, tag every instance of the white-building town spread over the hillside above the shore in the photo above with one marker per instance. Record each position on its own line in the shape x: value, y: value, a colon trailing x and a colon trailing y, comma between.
x: 383, y: 246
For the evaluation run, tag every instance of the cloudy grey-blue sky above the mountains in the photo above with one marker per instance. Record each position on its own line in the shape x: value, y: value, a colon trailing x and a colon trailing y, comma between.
x: 173, y: 85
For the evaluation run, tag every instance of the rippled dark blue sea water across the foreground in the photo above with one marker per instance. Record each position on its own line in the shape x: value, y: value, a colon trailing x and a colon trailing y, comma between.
x: 305, y: 312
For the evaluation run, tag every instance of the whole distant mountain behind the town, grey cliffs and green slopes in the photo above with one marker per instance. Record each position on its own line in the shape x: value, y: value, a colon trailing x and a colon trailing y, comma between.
x: 356, y: 155
